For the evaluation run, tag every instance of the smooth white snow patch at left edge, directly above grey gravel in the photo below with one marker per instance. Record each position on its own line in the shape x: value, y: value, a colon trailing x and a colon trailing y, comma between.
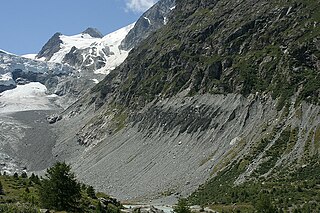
x: 27, y: 97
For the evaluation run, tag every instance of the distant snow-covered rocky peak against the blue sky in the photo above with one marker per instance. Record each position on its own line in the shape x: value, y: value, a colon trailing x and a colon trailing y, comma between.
x: 87, y: 50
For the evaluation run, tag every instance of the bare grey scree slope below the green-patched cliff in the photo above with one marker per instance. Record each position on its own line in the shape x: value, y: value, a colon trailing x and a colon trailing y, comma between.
x: 148, y: 148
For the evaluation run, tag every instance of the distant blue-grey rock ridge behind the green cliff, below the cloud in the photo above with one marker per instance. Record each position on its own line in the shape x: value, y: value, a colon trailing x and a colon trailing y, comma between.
x: 149, y: 22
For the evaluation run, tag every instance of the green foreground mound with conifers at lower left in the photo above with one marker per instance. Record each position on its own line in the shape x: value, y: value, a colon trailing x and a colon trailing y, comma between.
x: 58, y: 191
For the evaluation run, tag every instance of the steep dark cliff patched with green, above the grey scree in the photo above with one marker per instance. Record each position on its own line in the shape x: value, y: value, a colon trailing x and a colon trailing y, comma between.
x: 273, y: 53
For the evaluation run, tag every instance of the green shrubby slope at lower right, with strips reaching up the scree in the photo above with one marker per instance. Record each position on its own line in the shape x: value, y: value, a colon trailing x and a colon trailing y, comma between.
x: 295, y: 187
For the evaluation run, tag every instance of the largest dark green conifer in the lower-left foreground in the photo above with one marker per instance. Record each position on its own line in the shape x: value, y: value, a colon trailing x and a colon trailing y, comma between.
x: 60, y: 190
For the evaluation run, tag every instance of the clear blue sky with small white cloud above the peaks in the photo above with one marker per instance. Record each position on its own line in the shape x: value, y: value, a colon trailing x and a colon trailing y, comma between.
x: 26, y: 25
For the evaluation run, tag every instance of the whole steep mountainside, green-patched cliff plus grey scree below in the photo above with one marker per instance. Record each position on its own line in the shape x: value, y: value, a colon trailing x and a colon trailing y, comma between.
x: 220, y: 79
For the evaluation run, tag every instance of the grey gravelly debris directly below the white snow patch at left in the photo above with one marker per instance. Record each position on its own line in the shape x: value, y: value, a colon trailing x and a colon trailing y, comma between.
x: 27, y: 140
